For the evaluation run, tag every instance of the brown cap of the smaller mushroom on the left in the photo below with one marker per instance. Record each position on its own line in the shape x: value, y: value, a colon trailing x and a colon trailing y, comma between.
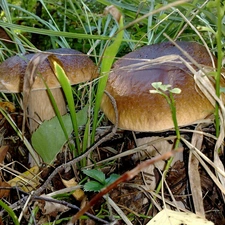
x: 78, y: 67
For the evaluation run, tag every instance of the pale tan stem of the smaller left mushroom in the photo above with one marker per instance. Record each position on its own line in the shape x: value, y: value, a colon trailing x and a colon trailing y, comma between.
x: 40, y: 107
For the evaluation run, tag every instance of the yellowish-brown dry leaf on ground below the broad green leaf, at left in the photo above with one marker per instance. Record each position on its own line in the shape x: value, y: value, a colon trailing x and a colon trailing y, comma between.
x: 27, y: 181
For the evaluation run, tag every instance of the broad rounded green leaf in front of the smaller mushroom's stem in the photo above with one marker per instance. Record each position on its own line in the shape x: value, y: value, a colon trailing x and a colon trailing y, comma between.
x: 49, y: 138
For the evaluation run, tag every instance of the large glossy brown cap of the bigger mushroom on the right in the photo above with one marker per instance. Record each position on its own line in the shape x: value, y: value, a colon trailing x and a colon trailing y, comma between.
x: 140, y: 110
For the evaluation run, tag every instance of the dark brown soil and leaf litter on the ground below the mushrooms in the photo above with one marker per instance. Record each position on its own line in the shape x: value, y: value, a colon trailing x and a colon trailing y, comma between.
x: 133, y: 197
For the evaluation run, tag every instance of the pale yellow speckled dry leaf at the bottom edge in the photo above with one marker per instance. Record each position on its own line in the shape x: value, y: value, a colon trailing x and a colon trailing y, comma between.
x: 169, y: 217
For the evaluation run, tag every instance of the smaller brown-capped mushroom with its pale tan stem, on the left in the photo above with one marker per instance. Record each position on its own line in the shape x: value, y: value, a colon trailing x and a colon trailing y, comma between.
x: 78, y: 67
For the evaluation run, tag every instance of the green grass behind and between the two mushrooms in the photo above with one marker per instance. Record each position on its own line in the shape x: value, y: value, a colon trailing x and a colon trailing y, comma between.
x: 80, y: 25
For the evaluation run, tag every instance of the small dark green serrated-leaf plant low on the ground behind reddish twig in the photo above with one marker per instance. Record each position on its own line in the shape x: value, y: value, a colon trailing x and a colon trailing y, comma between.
x: 100, y: 181
